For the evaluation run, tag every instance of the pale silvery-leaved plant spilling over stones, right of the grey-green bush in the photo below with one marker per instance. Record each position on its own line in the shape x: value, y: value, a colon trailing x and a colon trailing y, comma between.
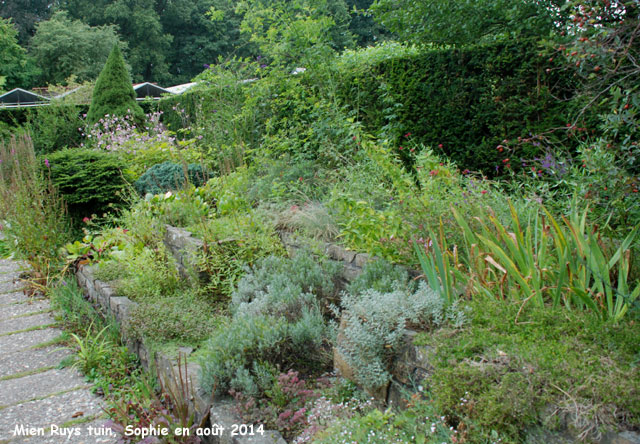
x: 374, y: 327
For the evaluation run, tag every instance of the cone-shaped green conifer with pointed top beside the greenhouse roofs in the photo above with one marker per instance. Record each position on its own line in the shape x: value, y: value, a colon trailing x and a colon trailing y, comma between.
x: 113, y: 93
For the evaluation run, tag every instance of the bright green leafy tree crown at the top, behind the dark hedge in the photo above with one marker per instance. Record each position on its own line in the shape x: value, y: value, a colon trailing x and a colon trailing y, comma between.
x: 462, y: 22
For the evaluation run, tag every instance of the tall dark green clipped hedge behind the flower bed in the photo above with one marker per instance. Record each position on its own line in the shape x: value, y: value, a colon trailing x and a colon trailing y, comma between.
x: 462, y: 102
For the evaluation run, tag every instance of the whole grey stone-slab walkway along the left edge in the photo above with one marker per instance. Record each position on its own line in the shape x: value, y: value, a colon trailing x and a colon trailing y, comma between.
x: 40, y: 403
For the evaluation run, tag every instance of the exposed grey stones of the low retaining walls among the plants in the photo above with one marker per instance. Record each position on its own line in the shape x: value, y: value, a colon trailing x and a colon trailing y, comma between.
x: 409, y: 370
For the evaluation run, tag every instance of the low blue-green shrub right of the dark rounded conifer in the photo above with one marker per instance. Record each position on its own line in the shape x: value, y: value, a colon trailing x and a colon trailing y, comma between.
x: 169, y: 176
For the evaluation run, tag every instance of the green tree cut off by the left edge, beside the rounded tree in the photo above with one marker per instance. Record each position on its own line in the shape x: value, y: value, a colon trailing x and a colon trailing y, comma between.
x: 15, y: 71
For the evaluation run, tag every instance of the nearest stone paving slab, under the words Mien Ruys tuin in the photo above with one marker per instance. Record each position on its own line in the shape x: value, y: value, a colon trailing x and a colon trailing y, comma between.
x: 57, y: 410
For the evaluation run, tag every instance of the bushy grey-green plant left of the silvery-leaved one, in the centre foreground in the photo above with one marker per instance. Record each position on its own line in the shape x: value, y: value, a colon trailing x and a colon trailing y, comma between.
x: 277, y: 322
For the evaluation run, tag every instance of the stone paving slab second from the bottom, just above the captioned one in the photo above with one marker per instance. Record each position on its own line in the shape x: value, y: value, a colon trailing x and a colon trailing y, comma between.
x: 13, y: 391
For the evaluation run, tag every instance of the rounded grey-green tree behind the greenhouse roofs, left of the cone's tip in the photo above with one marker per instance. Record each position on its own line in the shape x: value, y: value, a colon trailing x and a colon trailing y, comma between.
x: 63, y: 48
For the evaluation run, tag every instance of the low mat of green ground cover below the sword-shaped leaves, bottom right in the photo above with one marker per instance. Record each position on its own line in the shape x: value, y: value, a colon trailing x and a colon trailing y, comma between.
x: 513, y: 369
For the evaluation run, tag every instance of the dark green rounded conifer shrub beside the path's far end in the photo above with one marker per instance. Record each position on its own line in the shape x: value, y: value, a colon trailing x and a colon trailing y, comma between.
x: 91, y: 182
